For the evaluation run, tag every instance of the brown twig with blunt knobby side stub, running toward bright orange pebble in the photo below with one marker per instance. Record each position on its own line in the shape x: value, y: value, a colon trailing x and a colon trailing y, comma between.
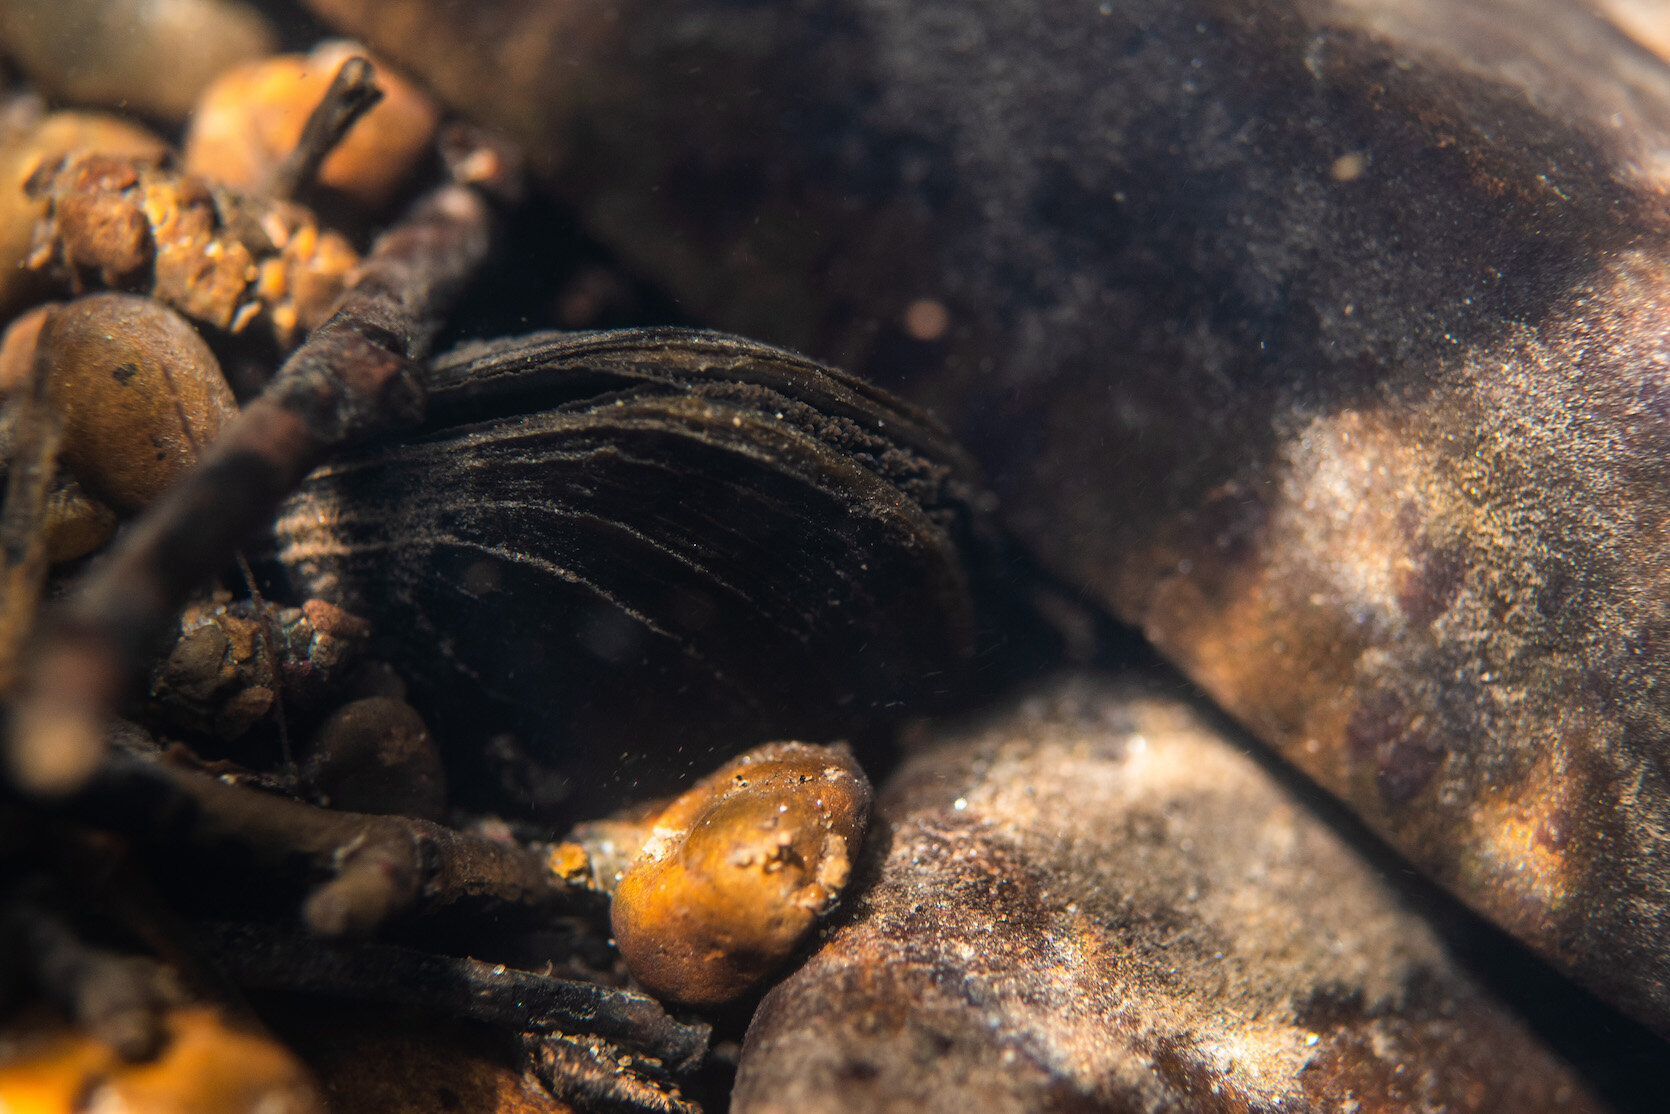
x: 382, y: 864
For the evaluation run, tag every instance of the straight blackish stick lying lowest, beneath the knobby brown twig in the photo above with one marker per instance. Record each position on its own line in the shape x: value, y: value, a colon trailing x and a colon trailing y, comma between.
x: 265, y: 958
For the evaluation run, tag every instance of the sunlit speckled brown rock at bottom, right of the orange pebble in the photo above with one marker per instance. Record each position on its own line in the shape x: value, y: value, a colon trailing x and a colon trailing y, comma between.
x: 1095, y: 901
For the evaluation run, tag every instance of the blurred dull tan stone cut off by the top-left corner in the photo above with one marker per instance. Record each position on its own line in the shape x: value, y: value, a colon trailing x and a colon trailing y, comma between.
x: 146, y: 56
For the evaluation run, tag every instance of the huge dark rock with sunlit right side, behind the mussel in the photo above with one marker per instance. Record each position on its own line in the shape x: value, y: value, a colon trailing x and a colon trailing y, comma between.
x: 1323, y: 340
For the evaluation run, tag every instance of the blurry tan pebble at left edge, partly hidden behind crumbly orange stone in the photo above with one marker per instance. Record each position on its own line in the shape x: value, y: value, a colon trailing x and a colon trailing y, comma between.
x: 31, y: 148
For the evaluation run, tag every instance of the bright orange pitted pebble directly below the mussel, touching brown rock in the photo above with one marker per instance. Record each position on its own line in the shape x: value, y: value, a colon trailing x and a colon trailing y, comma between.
x: 737, y: 871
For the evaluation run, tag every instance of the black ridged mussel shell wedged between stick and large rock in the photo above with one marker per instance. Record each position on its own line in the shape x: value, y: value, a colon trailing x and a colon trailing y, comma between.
x: 630, y: 545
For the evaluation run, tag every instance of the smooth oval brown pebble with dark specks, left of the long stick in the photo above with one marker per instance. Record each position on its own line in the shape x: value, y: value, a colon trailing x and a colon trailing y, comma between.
x: 139, y: 393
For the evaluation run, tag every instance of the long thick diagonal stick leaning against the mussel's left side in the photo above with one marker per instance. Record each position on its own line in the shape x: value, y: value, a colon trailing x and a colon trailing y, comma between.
x: 355, y: 377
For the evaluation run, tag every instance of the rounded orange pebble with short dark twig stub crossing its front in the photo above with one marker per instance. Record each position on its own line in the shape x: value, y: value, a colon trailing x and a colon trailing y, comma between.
x: 251, y: 118
